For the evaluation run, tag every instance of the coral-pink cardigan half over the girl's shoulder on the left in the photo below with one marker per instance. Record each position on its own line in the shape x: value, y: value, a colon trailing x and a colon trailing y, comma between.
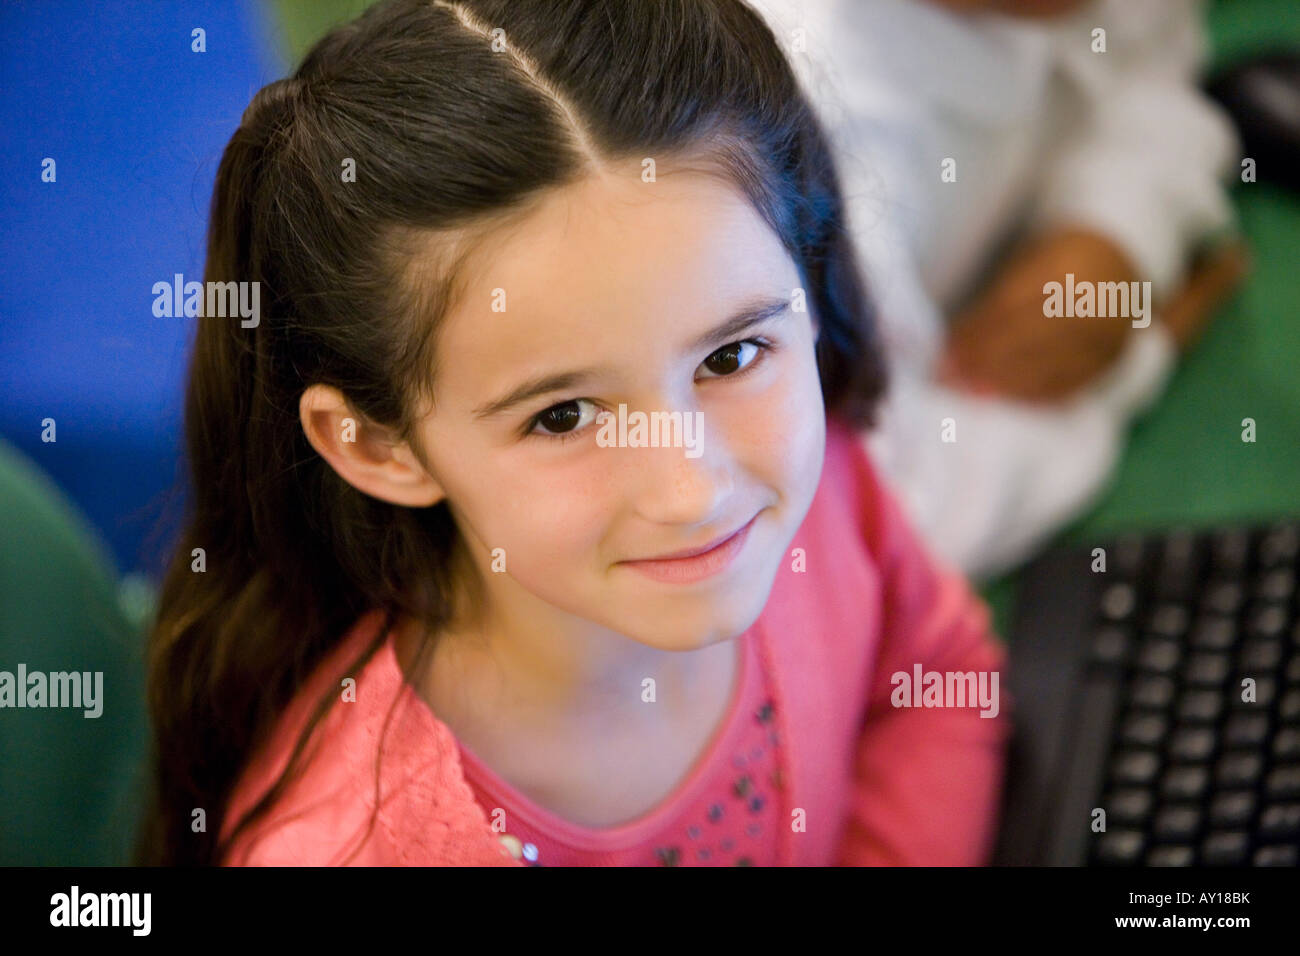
x: 380, y: 781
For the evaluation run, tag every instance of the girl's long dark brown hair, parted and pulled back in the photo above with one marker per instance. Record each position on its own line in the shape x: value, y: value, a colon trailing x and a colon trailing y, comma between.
x: 450, y: 127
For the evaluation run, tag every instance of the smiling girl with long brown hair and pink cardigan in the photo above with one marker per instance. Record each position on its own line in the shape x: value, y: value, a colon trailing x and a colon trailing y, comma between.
x: 444, y: 598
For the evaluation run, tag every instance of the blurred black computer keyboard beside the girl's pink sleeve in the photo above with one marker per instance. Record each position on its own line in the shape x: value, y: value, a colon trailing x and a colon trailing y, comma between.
x: 1163, y: 693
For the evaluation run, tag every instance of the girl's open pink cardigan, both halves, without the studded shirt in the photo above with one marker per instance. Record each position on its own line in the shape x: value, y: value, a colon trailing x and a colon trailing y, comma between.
x: 877, y: 784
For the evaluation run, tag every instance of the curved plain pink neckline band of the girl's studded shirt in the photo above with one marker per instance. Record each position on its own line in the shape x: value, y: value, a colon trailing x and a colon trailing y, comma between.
x: 687, y: 791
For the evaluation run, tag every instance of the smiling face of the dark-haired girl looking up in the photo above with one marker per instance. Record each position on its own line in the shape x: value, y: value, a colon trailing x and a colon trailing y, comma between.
x: 619, y: 292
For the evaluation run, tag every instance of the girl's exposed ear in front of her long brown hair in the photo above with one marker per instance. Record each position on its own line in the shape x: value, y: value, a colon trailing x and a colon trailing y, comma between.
x: 365, y: 455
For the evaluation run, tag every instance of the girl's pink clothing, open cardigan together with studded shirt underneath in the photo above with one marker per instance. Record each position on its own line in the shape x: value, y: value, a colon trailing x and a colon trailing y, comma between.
x: 814, y: 765
